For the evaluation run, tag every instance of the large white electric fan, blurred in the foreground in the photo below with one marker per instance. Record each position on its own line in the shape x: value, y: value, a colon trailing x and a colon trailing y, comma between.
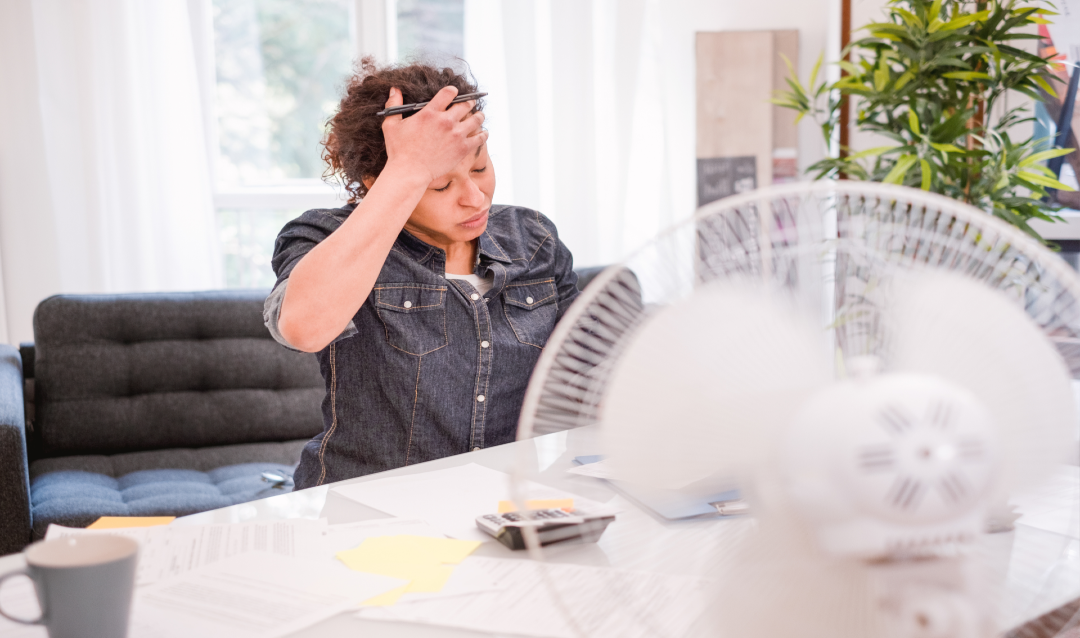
x: 876, y: 369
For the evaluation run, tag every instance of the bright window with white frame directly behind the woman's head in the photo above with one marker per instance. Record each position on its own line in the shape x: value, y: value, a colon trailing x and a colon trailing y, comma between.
x: 280, y: 67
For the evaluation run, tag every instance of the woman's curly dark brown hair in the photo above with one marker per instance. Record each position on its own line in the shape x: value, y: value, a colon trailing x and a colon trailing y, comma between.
x: 354, y: 147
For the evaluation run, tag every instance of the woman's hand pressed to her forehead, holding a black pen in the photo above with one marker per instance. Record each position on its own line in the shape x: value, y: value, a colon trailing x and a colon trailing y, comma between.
x: 437, y: 139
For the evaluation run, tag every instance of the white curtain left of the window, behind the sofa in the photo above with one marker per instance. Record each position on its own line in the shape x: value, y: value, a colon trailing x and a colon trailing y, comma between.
x: 113, y: 150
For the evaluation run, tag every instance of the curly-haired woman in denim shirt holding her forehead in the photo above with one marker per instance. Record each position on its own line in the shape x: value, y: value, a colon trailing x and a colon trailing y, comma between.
x: 427, y: 306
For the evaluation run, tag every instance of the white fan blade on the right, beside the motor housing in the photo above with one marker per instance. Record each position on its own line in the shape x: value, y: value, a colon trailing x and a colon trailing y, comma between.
x: 947, y: 325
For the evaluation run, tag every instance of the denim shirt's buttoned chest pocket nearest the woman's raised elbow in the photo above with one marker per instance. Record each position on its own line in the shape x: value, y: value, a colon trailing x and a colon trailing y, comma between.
x: 414, y: 317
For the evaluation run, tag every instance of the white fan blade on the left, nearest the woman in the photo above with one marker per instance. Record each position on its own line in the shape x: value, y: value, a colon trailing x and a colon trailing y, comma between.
x: 706, y: 383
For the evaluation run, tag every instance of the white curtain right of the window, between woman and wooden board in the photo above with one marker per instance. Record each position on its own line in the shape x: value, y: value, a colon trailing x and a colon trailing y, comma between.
x: 578, y: 114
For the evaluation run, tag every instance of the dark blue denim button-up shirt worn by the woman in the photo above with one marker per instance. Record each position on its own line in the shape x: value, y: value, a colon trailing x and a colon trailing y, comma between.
x: 429, y: 368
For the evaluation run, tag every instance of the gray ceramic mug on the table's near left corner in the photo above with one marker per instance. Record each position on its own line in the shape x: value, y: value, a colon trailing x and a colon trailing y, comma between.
x: 85, y: 586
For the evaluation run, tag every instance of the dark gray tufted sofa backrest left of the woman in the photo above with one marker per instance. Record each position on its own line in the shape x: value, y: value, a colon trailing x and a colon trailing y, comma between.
x: 119, y: 373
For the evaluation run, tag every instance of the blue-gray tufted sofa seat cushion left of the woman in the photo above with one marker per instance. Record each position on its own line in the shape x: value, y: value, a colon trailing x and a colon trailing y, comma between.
x: 75, y: 492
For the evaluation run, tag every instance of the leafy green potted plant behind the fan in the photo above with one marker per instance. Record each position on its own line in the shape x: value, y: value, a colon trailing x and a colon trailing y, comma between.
x: 934, y: 80
